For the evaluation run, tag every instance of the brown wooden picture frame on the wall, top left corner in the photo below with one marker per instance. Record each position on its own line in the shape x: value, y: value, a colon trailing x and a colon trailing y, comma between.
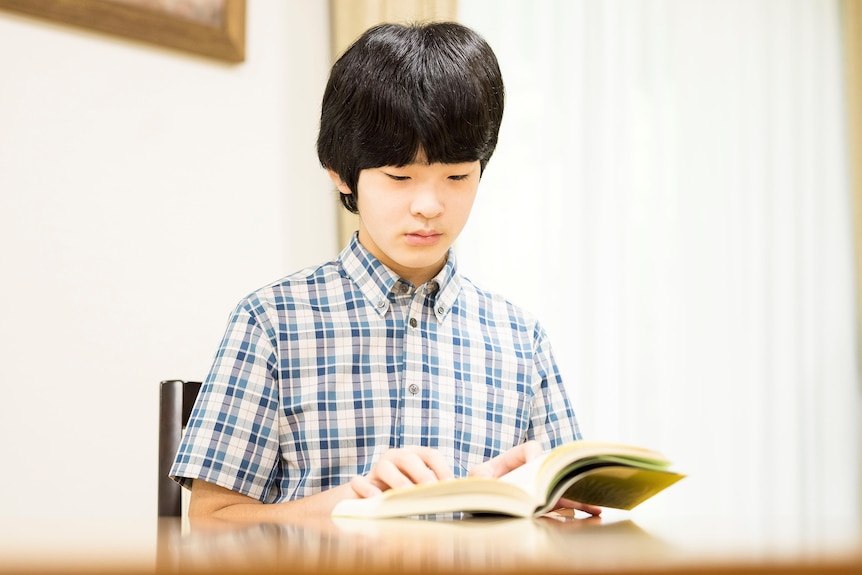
x: 221, y: 35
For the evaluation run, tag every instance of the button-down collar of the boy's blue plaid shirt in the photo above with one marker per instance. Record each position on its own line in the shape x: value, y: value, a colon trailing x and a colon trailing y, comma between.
x: 376, y: 281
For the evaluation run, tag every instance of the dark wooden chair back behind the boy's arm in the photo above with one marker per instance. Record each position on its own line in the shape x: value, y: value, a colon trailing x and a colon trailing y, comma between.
x: 176, y: 398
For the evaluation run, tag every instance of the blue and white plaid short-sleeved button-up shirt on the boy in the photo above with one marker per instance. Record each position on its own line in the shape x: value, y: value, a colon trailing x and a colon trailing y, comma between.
x: 322, y: 372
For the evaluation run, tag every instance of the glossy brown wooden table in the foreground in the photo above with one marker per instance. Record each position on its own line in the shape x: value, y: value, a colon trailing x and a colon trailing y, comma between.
x: 615, y: 544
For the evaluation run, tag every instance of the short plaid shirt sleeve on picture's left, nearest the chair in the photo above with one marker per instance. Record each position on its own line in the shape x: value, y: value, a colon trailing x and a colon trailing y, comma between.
x: 231, y: 438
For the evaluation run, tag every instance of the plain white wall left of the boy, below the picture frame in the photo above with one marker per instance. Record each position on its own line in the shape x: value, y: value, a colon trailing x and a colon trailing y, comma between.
x: 142, y: 193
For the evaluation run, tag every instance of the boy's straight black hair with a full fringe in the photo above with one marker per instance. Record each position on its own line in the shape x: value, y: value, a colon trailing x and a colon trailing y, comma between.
x: 399, y: 89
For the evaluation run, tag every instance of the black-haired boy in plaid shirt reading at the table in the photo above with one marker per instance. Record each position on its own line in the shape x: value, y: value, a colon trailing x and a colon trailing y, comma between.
x: 385, y: 367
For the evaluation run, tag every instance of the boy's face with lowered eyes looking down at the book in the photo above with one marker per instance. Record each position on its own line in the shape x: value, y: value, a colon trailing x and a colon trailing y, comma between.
x: 409, y: 216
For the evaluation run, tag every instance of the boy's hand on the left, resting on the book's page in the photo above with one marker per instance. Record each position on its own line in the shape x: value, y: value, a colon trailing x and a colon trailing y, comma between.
x: 402, y: 468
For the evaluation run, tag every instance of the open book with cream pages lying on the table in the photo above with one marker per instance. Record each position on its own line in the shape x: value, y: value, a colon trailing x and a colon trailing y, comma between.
x: 603, y: 474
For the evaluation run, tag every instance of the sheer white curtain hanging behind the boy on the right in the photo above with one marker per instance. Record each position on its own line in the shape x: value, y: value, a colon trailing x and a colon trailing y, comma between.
x: 670, y: 197
